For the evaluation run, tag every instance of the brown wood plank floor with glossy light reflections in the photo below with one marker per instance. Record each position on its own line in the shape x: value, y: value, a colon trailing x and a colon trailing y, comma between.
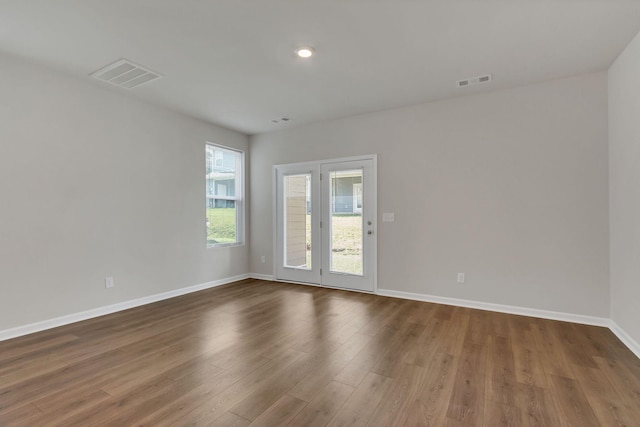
x: 271, y: 354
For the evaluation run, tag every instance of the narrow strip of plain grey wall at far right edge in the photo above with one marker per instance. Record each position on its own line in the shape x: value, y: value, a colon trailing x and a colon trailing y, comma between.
x: 624, y: 164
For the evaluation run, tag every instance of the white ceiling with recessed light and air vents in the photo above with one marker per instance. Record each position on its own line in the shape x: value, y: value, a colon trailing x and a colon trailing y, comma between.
x: 231, y: 62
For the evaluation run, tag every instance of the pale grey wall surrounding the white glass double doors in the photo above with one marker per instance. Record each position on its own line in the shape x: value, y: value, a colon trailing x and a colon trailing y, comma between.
x: 510, y: 187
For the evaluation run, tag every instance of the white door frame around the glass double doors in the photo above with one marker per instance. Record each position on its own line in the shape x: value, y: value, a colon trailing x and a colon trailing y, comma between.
x: 374, y: 208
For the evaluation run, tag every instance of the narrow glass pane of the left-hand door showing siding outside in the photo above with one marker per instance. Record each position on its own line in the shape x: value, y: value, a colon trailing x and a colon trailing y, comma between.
x: 297, y: 218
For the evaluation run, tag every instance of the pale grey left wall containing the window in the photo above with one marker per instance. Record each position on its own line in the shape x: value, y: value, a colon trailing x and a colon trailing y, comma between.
x: 96, y: 184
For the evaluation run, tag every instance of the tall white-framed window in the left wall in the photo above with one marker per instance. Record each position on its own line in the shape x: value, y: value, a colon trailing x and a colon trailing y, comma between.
x: 224, y: 195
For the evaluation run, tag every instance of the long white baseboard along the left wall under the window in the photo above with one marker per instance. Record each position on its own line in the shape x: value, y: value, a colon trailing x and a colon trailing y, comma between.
x: 109, y: 309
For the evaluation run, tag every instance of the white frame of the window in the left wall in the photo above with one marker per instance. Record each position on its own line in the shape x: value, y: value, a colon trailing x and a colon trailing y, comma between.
x: 238, y: 198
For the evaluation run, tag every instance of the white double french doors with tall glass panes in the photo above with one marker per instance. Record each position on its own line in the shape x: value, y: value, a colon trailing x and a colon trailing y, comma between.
x: 325, y: 223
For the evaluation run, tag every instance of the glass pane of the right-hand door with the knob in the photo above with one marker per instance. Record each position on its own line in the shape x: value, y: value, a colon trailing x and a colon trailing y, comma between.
x: 346, y: 222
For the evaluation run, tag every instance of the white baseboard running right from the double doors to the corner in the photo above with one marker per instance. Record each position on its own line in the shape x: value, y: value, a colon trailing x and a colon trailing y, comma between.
x: 522, y: 311
